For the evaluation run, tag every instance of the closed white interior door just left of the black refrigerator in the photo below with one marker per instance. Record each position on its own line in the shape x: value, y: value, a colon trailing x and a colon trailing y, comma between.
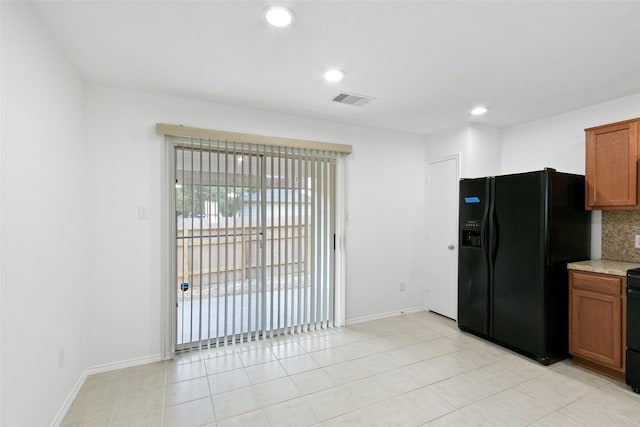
x: 442, y: 236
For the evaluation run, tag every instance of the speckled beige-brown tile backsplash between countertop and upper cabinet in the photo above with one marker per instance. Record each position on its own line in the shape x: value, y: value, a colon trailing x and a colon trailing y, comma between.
x: 618, y: 235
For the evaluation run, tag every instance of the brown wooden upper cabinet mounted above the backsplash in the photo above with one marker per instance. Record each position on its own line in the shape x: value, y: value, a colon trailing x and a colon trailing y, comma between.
x: 612, y: 166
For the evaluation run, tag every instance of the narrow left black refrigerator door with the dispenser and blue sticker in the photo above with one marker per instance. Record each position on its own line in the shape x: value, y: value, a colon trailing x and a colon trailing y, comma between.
x: 473, y: 268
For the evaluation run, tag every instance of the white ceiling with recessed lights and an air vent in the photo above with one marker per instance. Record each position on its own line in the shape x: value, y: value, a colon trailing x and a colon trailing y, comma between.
x: 427, y: 63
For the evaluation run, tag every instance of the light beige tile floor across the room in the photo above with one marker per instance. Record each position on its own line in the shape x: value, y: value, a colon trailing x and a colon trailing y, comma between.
x: 411, y: 370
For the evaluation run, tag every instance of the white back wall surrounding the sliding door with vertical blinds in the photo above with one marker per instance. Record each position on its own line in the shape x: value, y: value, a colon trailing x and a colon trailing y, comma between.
x: 385, y: 206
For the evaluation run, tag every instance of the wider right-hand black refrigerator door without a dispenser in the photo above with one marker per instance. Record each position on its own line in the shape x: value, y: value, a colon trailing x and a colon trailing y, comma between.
x: 519, y: 261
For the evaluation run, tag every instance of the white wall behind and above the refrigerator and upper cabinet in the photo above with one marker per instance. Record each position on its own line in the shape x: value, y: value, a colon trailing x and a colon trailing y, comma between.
x: 558, y: 142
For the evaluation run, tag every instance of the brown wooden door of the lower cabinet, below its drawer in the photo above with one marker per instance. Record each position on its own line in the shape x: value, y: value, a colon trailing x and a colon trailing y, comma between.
x: 596, y: 327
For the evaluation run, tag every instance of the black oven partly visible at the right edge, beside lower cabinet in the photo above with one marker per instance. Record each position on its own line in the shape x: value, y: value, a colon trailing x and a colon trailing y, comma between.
x: 633, y: 329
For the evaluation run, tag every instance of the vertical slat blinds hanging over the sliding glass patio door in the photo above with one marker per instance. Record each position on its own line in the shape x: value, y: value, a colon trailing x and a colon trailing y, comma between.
x: 254, y: 240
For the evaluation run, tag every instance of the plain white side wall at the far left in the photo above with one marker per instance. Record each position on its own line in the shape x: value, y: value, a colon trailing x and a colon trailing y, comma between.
x: 43, y: 228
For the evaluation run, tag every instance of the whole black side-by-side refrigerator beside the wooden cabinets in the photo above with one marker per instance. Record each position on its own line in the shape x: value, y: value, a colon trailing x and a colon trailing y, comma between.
x: 517, y: 233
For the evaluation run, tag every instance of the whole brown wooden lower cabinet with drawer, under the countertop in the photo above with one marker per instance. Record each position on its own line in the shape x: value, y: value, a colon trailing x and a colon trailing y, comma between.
x: 597, y: 333
